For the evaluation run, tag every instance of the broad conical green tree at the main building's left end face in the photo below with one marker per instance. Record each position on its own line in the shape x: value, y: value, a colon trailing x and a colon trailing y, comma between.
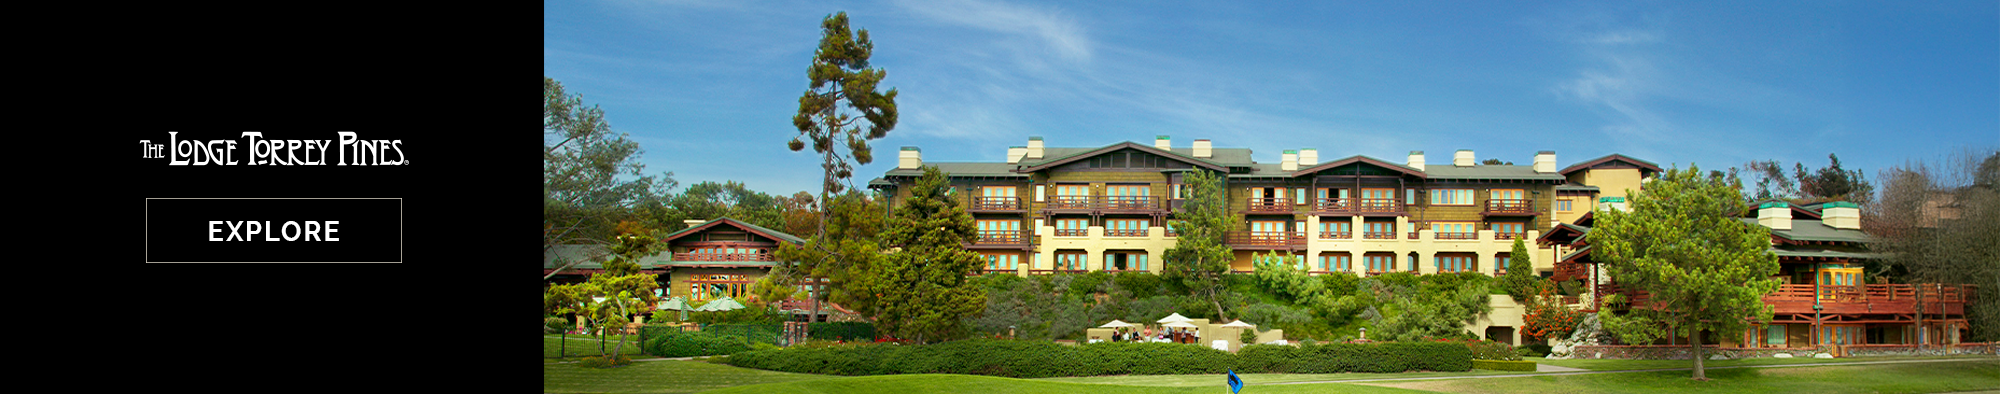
x: 921, y: 289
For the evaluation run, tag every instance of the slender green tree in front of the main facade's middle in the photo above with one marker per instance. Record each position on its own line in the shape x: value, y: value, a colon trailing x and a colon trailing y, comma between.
x: 1201, y: 259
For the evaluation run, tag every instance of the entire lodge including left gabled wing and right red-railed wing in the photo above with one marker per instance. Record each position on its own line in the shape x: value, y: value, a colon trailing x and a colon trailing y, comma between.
x: 1107, y: 209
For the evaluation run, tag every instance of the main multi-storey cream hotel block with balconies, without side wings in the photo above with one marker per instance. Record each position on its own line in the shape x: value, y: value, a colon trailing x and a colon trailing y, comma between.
x: 1107, y: 209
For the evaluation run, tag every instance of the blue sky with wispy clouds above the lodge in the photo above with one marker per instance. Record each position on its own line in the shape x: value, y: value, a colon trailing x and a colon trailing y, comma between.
x: 709, y: 89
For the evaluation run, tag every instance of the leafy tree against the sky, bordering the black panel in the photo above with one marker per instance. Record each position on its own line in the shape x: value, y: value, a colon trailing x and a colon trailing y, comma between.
x: 591, y: 177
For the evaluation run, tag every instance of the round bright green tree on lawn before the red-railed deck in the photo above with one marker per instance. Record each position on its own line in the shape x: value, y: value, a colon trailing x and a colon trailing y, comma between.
x: 1703, y: 269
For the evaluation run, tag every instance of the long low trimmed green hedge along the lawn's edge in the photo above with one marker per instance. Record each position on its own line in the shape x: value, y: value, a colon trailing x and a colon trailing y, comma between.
x: 1045, y: 359
